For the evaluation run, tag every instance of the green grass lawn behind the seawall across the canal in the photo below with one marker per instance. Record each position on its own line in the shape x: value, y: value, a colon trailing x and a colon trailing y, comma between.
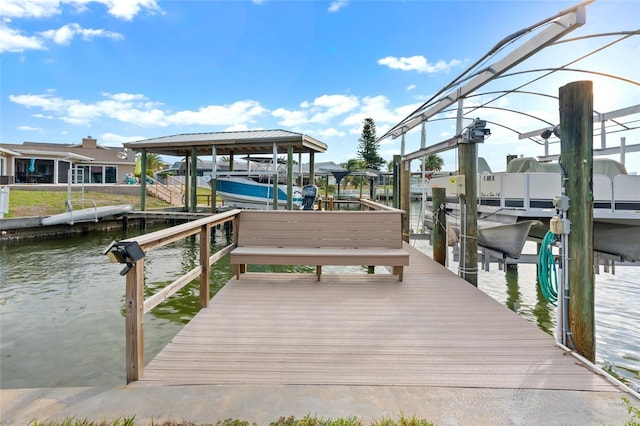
x: 45, y: 203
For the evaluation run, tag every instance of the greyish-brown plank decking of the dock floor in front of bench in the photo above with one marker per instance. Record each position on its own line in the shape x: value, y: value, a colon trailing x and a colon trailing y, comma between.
x: 432, y: 329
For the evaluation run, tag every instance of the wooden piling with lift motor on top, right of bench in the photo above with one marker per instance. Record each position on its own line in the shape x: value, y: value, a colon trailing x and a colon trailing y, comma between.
x: 468, y: 157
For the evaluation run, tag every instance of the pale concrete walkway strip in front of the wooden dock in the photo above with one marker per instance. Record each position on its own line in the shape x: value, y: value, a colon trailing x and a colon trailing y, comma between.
x: 264, y: 404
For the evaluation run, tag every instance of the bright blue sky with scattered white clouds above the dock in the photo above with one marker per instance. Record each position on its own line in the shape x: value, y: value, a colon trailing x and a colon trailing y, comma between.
x: 125, y: 70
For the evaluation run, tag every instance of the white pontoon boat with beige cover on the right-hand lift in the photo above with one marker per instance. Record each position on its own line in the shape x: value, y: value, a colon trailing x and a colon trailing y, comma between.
x: 526, y: 192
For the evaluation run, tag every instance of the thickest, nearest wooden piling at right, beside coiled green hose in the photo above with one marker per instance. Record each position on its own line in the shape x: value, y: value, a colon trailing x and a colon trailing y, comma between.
x: 576, y: 136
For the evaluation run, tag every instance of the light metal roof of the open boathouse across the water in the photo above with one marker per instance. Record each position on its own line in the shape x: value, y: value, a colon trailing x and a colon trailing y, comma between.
x: 237, y: 143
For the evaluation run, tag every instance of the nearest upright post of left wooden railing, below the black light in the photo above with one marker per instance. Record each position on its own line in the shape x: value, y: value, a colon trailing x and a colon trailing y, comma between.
x: 134, y: 322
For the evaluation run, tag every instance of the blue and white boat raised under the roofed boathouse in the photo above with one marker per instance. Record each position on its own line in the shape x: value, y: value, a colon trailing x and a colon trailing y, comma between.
x: 245, y: 192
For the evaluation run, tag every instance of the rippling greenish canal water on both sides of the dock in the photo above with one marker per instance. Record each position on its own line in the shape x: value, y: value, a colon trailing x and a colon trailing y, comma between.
x: 62, y: 309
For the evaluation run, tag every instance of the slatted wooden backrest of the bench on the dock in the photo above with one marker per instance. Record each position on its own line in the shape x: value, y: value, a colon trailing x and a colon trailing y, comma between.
x: 300, y: 228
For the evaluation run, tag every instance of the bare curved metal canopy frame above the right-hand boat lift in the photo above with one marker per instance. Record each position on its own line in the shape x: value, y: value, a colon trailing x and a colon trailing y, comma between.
x: 438, y: 109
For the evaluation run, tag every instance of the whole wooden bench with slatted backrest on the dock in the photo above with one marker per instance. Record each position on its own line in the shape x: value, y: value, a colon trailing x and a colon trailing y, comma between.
x: 298, y: 237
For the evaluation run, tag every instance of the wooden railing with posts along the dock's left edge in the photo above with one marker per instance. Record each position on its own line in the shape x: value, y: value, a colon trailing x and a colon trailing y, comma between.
x: 135, y: 304
